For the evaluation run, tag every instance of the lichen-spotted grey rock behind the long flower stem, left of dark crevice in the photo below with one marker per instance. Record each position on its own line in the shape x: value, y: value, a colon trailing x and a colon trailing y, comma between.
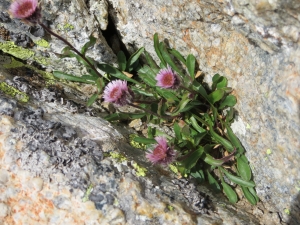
x: 73, y: 20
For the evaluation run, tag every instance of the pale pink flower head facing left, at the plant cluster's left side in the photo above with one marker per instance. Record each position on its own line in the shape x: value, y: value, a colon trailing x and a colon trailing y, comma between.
x: 118, y: 93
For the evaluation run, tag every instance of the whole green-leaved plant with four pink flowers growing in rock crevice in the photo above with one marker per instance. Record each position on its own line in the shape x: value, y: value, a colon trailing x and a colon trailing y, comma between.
x: 173, y: 94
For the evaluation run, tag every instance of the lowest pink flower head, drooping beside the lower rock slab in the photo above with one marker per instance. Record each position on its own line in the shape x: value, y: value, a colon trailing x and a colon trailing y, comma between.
x: 162, y: 153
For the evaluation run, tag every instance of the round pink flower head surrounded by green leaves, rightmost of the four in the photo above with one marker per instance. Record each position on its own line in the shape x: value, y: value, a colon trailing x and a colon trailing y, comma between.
x: 166, y: 78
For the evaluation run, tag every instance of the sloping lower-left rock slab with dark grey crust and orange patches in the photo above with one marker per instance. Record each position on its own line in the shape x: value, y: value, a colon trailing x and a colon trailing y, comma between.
x: 57, y: 166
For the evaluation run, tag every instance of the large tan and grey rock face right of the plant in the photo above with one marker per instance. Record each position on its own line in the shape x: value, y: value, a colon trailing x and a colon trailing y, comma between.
x: 255, y: 44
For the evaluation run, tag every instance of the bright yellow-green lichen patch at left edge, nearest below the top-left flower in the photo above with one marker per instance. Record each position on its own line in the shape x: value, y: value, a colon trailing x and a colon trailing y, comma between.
x: 16, y: 51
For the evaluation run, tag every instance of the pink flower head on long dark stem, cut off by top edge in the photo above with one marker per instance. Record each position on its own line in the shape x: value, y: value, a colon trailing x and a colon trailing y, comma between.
x: 26, y: 10
